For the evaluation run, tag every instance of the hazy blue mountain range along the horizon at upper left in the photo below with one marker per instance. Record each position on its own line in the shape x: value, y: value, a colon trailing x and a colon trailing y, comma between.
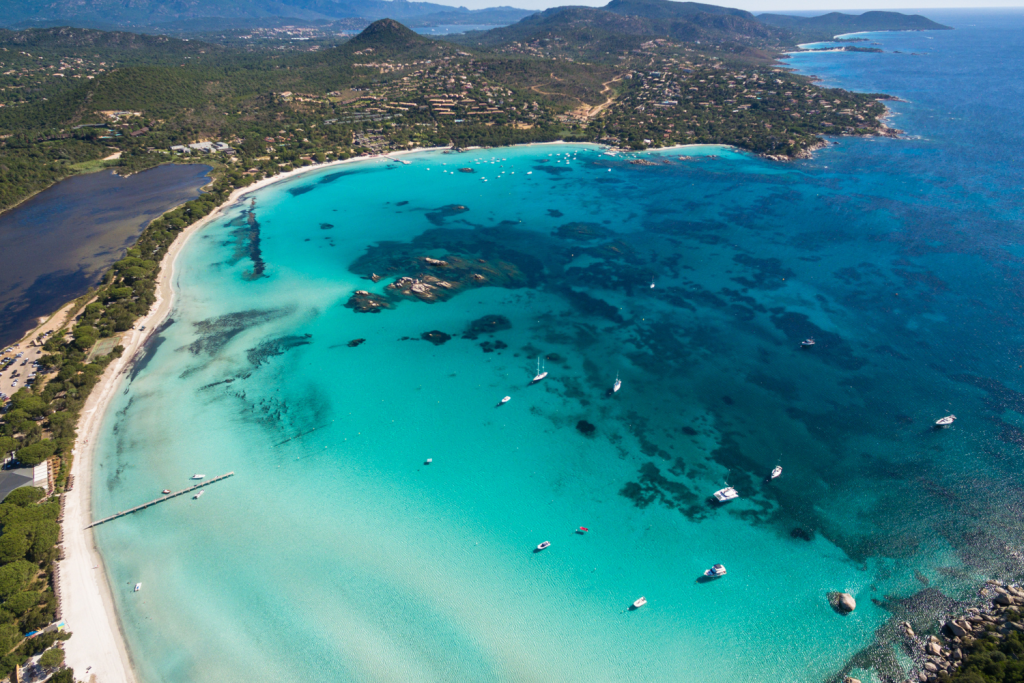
x: 142, y: 14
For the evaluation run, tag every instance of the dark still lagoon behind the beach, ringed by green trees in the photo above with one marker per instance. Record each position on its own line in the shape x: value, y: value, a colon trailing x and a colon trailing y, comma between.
x: 59, y: 243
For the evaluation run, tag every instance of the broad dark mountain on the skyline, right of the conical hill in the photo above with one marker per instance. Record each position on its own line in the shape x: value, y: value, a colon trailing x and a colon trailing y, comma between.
x: 625, y: 24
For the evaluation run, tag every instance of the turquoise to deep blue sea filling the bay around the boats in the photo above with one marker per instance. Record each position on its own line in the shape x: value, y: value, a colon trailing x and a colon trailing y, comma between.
x: 335, y: 553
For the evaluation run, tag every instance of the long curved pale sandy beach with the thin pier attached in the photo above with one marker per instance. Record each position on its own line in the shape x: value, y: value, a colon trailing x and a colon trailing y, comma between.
x: 98, y: 652
